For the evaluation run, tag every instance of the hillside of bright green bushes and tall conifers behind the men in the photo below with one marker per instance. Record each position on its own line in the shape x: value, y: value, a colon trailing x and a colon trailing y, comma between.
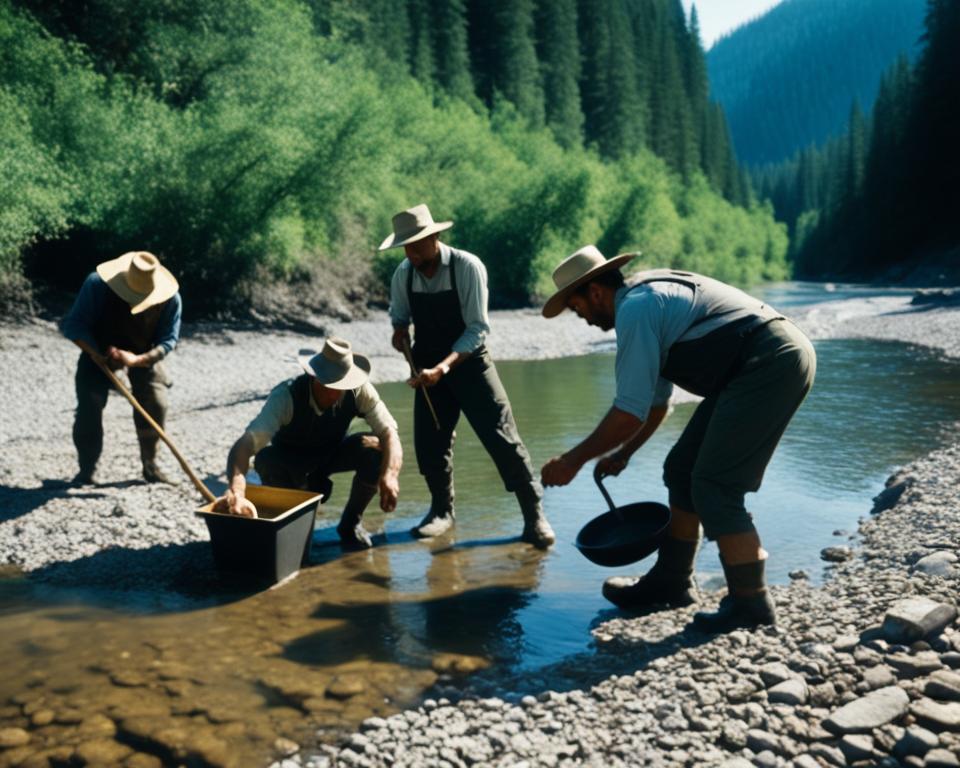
x: 270, y: 140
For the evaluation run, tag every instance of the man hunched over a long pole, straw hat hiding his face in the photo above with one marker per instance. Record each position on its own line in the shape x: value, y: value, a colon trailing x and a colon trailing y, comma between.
x: 127, y: 315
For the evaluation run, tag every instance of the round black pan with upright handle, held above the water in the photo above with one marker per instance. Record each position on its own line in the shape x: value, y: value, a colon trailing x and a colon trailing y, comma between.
x: 624, y: 534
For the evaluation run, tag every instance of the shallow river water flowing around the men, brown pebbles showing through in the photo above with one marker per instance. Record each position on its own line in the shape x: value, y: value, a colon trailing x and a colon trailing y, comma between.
x: 216, y: 681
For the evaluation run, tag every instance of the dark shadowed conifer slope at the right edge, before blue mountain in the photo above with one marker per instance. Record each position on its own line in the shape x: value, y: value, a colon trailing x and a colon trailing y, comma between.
x: 889, y: 187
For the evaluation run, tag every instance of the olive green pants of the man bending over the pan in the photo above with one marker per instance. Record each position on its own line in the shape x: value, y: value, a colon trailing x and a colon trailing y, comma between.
x: 725, y: 448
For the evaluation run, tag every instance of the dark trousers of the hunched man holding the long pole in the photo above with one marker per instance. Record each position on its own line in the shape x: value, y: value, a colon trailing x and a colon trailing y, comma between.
x: 149, y: 386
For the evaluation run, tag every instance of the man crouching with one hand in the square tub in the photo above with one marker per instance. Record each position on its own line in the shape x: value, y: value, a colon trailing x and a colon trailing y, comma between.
x: 300, y: 438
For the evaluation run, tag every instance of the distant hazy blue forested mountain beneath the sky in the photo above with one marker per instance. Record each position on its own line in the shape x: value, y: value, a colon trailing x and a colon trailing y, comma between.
x: 787, y: 80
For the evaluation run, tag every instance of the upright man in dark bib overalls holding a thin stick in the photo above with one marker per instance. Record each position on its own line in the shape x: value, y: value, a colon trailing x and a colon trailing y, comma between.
x: 443, y: 291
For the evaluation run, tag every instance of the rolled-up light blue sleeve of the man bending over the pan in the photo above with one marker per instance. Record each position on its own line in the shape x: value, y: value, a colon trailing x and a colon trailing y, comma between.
x: 638, y: 357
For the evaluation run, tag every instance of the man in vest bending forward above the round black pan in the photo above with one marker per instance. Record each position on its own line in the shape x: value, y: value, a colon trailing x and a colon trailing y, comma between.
x: 752, y: 367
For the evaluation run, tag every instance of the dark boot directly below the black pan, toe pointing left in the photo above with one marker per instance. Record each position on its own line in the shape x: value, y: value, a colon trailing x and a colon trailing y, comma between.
x: 669, y: 584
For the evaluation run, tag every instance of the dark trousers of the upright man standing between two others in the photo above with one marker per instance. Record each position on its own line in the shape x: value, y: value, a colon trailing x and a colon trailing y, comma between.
x: 474, y: 388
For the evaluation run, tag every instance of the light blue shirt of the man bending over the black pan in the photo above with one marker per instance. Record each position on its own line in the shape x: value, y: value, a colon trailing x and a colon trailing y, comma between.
x: 649, y: 319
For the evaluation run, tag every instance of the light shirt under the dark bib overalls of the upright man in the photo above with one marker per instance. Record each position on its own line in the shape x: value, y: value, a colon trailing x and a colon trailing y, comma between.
x: 471, y: 290
